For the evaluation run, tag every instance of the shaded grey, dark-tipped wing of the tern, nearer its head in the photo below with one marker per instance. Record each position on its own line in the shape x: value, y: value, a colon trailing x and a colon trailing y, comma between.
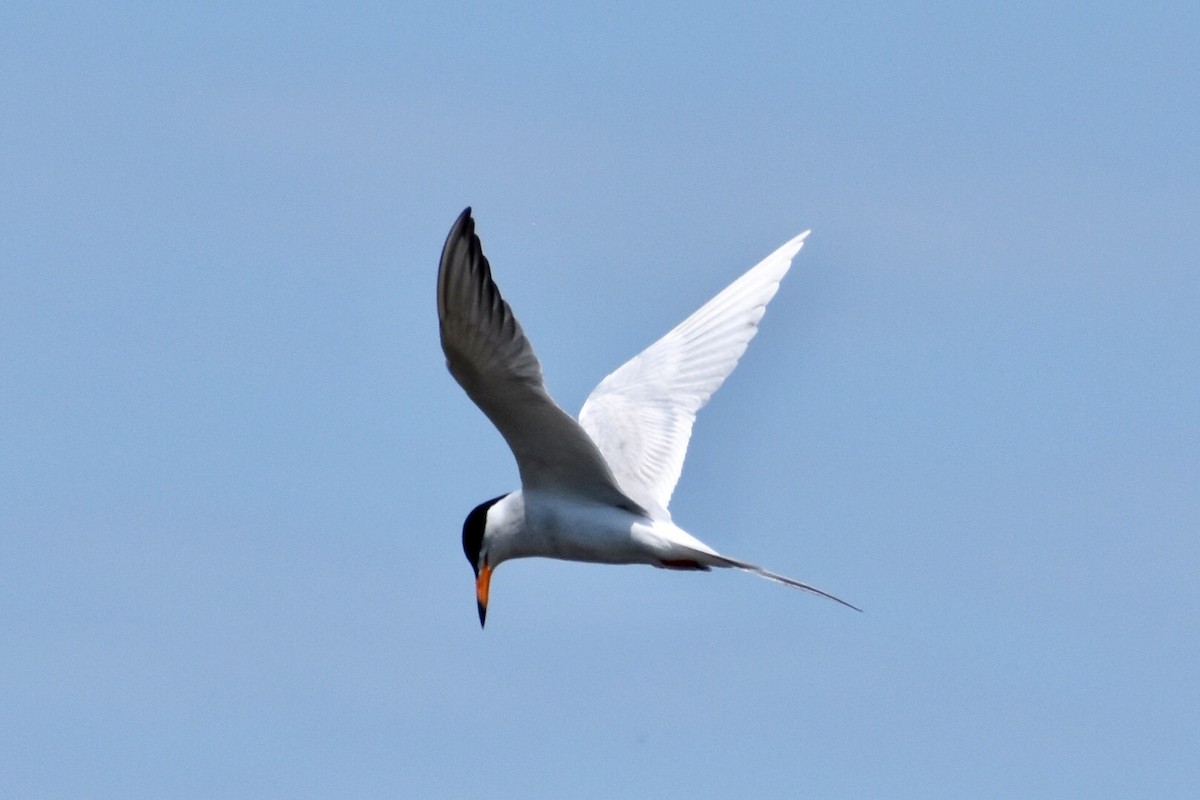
x: 490, y: 357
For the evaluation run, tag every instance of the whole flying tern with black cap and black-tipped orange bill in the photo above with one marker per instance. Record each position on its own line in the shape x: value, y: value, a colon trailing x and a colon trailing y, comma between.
x: 596, y: 490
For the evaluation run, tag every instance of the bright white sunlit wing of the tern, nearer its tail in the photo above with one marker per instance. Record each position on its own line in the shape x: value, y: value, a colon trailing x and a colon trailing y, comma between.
x: 641, y: 416
